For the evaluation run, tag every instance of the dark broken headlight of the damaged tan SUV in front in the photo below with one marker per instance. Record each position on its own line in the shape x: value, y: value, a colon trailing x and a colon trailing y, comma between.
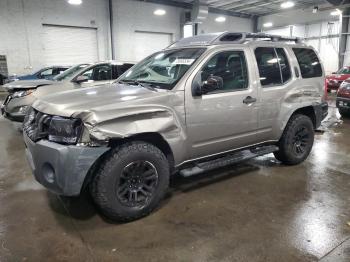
x: 65, y: 130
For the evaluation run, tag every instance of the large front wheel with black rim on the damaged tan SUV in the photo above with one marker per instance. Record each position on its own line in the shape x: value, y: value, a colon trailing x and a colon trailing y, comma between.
x: 131, y: 181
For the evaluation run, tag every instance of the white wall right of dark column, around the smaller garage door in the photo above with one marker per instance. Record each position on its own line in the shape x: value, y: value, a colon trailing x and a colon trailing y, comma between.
x: 131, y: 16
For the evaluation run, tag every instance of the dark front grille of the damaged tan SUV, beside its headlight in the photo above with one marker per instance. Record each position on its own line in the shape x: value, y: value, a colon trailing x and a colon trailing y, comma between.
x: 36, y: 125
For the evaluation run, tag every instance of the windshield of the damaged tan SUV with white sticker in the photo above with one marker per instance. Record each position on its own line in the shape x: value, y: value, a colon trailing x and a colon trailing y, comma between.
x: 163, y: 69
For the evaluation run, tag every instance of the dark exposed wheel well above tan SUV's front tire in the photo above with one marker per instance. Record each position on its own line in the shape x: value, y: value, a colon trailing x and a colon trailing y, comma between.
x: 153, y: 138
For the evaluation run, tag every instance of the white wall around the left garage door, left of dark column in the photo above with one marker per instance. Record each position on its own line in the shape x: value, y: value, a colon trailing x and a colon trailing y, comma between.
x: 21, y: 28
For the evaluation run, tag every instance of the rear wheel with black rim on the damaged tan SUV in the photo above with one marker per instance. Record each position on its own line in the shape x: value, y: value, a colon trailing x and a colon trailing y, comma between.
x: 297, y: 140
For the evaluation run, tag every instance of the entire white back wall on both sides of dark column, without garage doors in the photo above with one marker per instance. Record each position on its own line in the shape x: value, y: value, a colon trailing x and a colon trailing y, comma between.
x: 21, y: 26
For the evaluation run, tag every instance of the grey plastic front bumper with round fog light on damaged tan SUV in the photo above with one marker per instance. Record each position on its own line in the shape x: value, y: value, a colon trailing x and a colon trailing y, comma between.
x: 61, y: 169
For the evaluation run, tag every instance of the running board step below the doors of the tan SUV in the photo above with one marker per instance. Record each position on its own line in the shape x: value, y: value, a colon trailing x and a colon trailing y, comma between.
x: 228, y: 160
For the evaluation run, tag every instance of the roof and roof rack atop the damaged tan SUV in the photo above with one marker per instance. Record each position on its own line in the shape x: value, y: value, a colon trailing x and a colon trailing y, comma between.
x: 231, y: 38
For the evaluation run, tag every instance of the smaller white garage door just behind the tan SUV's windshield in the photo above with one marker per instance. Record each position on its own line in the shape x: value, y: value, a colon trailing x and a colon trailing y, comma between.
x: 146, y: 43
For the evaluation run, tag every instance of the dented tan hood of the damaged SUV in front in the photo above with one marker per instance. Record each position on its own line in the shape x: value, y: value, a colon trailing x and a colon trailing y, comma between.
x: 97, y: 103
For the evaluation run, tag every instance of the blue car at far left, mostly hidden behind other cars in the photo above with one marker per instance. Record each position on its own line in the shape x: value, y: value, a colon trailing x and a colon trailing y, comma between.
x: 44, y: 73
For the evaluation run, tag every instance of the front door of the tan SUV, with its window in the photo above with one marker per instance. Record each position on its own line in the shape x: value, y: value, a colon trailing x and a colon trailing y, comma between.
x: 224, y: 119
